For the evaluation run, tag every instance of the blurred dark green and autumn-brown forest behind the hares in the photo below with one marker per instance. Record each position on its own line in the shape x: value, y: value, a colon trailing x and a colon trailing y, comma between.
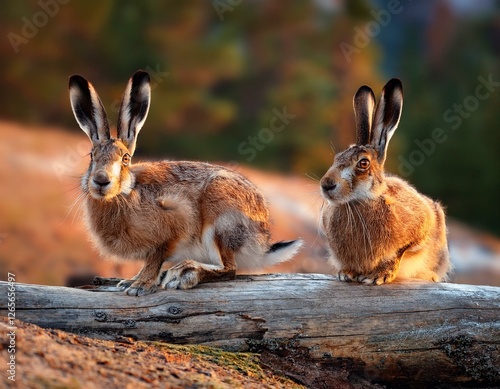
x: 269, y: 84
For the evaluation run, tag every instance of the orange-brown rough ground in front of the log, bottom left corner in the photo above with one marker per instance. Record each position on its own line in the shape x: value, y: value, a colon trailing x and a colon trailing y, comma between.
x: 55, y: 359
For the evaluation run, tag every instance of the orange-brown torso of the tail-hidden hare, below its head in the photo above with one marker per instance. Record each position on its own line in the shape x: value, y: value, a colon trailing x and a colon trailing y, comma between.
x: 363, y: 233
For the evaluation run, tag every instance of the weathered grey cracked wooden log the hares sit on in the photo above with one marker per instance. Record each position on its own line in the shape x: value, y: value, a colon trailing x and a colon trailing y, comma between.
x: 413, y: 334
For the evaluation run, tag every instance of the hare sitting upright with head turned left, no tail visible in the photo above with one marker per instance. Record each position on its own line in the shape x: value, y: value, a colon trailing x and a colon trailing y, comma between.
x: 379, y: 227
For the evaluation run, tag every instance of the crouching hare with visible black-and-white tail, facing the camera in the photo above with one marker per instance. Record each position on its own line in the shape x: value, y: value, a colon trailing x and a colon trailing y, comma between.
x: 207, y: 219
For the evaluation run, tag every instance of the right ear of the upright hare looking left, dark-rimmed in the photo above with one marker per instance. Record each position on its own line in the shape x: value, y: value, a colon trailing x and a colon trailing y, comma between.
x: 387, y: 117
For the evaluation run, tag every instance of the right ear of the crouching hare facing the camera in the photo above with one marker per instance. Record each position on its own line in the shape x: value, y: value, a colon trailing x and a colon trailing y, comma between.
x: 134, y: 109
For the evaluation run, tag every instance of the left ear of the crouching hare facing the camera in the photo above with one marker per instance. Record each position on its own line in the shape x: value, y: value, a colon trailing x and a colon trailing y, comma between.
x: 88, y: 109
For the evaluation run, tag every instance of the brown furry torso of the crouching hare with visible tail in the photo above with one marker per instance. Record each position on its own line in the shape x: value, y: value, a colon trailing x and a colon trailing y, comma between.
x: 181, y: 207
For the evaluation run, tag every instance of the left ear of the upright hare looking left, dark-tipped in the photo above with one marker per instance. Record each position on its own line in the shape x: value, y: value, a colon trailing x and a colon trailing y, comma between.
x: 364, y: 105
